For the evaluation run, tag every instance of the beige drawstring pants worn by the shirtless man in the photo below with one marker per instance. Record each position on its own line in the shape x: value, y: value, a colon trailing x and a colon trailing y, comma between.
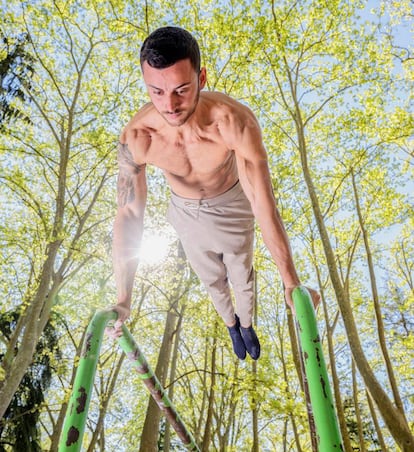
x: 217, y: 236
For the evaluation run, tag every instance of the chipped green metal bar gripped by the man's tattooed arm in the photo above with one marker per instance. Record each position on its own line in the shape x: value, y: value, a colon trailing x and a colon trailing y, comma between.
x: 76, y: 415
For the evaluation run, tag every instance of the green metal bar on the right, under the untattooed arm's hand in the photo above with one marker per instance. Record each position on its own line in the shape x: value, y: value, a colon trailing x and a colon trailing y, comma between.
x: 327, y: 428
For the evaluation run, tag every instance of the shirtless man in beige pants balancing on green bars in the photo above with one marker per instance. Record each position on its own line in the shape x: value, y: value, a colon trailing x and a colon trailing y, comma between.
x: 210, y: 149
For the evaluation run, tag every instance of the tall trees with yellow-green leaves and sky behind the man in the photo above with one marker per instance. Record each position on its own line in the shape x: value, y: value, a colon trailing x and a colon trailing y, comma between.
x: 331, y: 84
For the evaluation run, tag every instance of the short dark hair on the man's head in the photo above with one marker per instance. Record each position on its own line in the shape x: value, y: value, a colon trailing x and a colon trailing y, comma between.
x: 167, y: 45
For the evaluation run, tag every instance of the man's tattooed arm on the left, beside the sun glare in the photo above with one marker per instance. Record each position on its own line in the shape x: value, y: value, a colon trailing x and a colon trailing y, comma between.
x: 128, y: 229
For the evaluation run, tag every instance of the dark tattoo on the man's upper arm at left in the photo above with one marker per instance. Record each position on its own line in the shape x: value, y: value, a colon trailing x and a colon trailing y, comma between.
x: 127, y: 169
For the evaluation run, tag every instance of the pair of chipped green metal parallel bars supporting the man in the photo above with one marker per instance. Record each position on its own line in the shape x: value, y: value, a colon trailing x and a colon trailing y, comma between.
x: 327, y: 430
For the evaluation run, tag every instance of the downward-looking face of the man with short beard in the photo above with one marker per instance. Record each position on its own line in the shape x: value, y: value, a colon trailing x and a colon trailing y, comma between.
x: 175, y: 90
